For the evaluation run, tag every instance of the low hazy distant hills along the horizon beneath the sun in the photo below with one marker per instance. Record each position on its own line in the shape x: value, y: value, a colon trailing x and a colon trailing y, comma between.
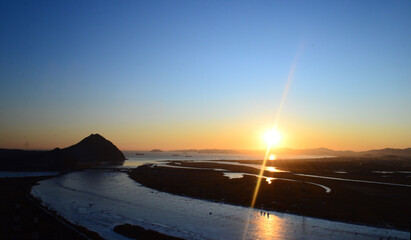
x: 386, y: 152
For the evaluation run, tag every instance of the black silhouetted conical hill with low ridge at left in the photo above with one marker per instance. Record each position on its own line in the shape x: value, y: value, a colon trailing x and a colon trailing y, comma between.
x: 91, y: 151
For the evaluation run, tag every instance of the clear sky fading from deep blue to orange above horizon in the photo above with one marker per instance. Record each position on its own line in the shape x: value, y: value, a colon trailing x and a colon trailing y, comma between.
x: 205, y: 74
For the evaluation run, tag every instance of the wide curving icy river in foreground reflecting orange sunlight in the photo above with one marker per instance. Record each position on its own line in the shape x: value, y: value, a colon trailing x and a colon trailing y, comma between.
x: 101, y: 200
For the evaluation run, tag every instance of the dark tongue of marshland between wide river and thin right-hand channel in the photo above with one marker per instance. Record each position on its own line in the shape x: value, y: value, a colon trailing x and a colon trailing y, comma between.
x: 354, y: 202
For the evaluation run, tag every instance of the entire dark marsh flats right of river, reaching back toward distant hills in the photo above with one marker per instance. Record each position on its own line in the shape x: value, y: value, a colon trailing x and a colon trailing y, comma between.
x: 362, y: 203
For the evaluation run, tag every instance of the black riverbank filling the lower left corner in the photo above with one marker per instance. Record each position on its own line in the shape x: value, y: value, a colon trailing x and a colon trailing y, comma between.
x: 22, y: 217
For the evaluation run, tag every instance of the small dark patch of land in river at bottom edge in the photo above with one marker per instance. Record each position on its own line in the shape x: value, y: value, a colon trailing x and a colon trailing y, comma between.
x: 136, y: 232
